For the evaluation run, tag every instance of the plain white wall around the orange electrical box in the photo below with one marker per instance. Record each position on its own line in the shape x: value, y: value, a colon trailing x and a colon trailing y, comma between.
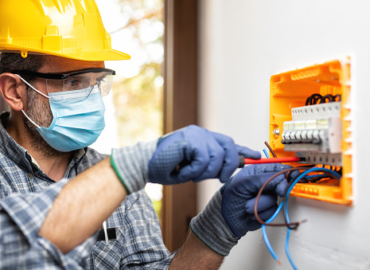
x: 243, y: 43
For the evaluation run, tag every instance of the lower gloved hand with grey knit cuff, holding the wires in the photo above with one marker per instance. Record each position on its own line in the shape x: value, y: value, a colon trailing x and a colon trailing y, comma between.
x: 230, y: 213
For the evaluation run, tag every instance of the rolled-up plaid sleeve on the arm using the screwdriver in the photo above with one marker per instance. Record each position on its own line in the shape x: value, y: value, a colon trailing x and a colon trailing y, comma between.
x: 21, y: 247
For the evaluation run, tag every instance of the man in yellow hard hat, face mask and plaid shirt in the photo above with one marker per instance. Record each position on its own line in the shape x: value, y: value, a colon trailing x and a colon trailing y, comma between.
x: 56, y: 193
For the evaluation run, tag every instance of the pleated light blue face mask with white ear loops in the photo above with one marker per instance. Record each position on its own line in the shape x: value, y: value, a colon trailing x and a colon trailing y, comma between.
x: 78, y: 118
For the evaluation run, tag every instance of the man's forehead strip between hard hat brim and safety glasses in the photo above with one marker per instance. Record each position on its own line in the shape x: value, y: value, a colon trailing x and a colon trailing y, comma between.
x: 55, y: 64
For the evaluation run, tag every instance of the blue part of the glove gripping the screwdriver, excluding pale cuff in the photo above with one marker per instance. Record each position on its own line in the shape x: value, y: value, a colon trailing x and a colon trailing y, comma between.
x: 194, y: 153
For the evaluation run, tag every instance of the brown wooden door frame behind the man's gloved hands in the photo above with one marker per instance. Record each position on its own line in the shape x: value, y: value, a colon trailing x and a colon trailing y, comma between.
x: 180, y: 108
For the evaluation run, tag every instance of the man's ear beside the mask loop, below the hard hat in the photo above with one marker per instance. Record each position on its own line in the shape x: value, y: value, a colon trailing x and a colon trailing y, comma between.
x: 13, y: 91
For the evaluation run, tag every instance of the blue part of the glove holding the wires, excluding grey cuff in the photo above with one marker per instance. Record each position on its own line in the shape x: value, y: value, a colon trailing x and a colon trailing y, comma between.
x: 239, y: 196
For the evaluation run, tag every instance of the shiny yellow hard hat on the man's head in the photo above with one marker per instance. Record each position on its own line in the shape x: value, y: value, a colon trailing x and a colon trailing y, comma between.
x: 66, y: 28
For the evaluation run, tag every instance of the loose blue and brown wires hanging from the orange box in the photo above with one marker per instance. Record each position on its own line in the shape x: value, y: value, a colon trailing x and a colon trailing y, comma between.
x: 304, y: 177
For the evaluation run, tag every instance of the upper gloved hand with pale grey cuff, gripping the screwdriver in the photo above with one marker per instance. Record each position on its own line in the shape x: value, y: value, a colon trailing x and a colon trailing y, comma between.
x: 192, y: 153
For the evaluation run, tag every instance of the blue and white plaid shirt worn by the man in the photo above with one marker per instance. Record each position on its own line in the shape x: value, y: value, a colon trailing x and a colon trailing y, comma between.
x: 27, y: 195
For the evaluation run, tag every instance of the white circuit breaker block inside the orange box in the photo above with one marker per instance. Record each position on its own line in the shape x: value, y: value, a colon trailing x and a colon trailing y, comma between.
x: 315, y: 133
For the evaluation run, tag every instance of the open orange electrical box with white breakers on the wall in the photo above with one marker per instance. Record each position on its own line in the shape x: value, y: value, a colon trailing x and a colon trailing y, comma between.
x: 317, y: 133
